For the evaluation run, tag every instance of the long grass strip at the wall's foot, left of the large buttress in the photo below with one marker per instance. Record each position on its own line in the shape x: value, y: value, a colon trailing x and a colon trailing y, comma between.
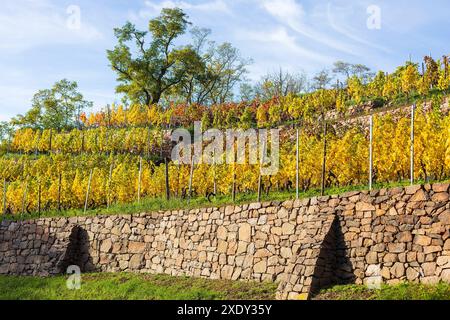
x: 125, y: 286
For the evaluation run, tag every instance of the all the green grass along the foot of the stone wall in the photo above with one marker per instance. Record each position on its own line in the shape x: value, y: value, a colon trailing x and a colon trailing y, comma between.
x: 127, y: 286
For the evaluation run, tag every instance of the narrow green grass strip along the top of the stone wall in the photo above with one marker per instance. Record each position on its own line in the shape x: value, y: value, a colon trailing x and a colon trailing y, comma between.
x: 160, y: 204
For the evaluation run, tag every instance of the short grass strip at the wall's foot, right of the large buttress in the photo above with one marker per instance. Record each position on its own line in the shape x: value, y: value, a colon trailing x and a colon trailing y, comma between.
x: 403, y: 291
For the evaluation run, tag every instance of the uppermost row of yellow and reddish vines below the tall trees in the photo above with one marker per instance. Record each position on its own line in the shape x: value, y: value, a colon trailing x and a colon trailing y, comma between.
x: 407, y: 81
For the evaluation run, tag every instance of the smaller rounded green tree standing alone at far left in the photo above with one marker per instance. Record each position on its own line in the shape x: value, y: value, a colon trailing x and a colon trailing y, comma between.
x: 57, y: 108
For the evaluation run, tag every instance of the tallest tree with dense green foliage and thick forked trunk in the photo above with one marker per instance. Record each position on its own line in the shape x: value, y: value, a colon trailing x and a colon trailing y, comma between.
x: 147, y: 71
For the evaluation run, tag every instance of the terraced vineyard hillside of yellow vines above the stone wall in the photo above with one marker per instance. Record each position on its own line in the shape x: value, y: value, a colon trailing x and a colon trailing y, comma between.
x: 121, y: 155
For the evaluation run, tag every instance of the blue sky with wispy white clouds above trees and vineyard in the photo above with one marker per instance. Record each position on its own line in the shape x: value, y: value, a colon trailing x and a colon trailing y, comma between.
x: 44, y: 41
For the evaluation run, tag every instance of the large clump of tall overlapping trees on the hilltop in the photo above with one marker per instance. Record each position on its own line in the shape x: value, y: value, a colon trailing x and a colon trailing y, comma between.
x: 153, y: 70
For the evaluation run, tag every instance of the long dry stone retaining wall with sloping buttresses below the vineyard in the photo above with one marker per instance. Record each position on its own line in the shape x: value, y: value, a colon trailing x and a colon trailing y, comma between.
x: 358, y: 237
